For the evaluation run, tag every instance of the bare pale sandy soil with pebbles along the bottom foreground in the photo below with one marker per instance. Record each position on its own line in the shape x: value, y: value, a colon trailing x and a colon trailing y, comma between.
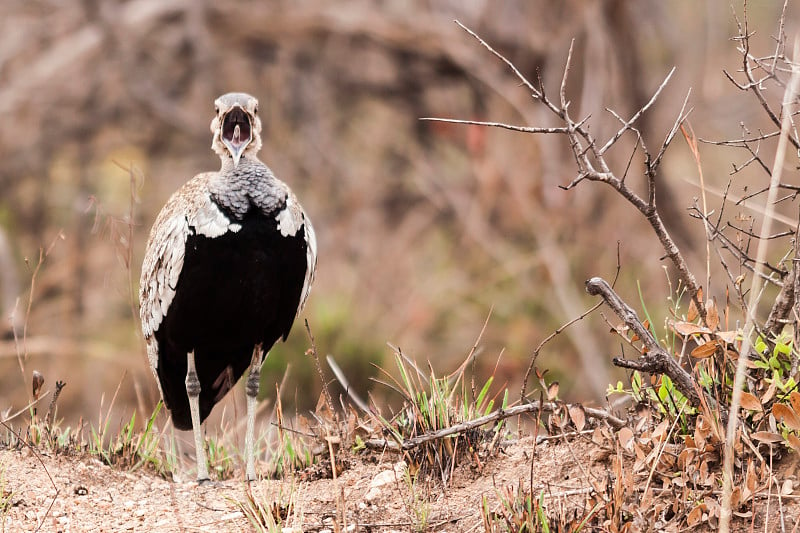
x: 59, y: 493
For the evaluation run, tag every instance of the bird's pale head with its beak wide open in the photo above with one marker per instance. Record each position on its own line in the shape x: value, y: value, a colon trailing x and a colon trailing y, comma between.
x: 236, y: 126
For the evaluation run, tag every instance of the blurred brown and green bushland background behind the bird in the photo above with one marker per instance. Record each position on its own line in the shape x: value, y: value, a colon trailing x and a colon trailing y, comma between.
x: 426, y: 230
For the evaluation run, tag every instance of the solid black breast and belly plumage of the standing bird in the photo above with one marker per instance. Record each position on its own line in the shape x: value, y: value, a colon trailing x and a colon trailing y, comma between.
x: 234, y: 291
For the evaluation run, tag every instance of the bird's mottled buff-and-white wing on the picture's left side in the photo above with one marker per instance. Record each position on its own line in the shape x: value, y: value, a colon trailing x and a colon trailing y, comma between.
x: 189, y: 211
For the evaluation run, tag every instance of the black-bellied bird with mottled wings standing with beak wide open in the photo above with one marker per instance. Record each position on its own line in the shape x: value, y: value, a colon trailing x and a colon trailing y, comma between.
x: 228, y: 266
